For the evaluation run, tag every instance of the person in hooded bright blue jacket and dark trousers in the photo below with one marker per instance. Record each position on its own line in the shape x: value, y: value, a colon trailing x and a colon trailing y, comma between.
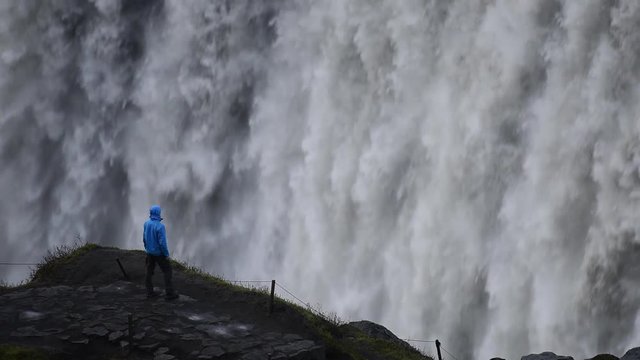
x: 154, y: 238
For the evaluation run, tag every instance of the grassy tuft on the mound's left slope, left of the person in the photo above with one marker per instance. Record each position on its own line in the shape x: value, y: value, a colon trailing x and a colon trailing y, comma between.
x: 58, y: 257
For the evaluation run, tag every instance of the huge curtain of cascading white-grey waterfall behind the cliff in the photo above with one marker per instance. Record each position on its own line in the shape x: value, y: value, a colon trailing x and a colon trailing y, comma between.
x: 467, y: 170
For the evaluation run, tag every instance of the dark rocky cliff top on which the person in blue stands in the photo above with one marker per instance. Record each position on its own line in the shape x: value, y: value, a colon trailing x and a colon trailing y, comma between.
x: 77, y: 305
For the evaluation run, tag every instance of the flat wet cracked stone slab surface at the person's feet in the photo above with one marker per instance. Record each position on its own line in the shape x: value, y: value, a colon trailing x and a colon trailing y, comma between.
x: 67, y: 317
